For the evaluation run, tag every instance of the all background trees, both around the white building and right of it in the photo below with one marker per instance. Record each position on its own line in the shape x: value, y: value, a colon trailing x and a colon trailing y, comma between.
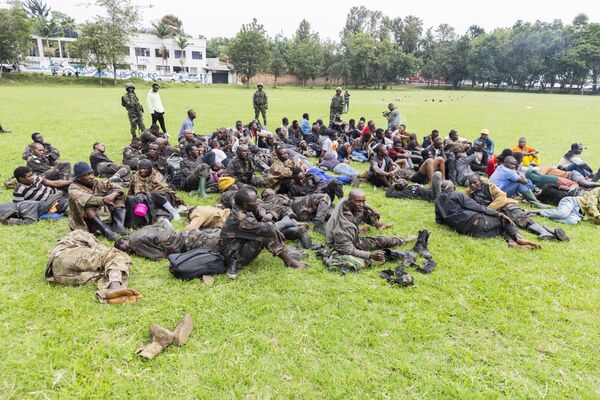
x: 374, y: 50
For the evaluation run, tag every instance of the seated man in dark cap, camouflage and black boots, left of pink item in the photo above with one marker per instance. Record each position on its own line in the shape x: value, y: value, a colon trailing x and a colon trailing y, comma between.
x: 93, y: 203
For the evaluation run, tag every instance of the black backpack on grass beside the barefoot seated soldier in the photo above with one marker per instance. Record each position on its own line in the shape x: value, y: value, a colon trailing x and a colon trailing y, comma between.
x: 196, y: 263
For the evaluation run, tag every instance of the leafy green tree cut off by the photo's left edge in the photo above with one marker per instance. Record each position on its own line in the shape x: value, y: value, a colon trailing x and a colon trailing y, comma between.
x: 15, y: 35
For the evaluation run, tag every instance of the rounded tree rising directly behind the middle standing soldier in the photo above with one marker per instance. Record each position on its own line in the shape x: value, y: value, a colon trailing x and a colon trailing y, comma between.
x: 249, y: 50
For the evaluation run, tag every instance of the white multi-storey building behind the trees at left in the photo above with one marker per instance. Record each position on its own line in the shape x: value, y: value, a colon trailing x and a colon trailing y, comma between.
x: 147, y: 57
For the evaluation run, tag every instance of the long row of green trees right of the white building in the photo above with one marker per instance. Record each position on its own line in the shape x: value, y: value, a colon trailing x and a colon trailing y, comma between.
x: 376, y: 50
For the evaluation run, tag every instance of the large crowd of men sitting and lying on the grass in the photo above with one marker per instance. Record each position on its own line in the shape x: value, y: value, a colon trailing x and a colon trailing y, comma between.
x: 274, y: 187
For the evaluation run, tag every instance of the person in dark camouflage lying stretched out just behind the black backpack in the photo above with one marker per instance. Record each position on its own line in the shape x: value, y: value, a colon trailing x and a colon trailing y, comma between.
x: 160, y: 240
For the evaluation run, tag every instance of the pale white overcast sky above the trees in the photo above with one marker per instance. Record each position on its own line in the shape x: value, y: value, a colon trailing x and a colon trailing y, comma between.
x: 328, y: 17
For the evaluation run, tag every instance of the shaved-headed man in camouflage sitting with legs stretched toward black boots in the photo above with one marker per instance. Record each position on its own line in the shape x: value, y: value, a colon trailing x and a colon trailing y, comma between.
x: 342, y: 231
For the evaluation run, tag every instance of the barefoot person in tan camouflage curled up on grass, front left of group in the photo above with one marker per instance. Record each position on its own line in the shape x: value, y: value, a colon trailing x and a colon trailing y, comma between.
x: 79, y: 259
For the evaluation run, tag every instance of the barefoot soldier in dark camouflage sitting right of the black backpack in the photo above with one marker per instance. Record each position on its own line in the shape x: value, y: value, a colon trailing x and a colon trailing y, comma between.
x: 247, y: 231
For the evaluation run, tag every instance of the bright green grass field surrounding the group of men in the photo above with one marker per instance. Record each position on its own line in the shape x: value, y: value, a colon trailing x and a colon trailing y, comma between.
x: 490, y: 322
